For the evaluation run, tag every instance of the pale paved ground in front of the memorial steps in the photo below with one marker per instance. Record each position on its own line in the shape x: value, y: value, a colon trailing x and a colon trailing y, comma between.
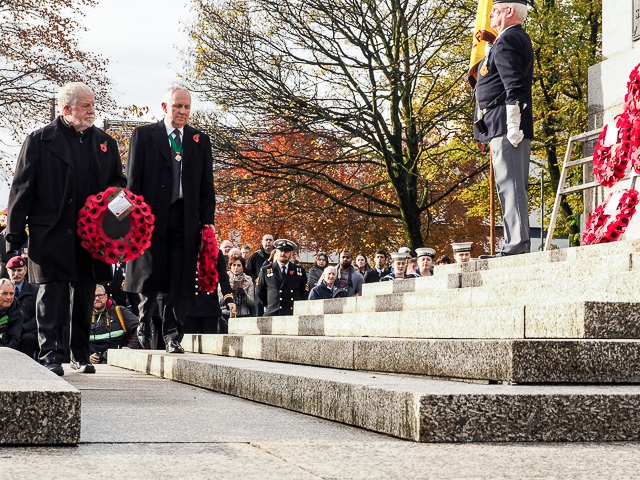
x: 138, y: 426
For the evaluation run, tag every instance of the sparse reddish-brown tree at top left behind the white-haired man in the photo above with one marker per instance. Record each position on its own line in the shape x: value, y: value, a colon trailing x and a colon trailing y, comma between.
x: 39, y: 52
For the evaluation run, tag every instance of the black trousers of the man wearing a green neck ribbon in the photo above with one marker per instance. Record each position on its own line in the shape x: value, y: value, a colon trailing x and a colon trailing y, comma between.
x: 175, y: 305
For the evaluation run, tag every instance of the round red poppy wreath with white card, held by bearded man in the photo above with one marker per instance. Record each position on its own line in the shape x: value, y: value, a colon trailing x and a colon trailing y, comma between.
x: 112, y: 239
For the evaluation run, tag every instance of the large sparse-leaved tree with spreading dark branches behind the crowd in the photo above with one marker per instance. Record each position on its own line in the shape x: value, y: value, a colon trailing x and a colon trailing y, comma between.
x: 380, y: 87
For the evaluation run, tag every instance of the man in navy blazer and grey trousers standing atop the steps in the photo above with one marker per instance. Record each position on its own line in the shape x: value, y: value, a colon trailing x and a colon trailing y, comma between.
x: 504, y: 118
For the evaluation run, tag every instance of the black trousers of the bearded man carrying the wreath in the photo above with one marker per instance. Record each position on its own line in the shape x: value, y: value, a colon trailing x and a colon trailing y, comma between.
x: 55, y: 303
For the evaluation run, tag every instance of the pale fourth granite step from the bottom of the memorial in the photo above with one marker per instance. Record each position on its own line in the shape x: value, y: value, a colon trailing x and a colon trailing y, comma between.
x: 603, y: 288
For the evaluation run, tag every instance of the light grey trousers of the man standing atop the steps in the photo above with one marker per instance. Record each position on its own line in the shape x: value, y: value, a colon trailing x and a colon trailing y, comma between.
x: 511, y: 170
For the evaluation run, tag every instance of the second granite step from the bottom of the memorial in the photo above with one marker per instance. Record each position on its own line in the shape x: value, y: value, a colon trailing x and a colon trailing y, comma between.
x: 510, y: 361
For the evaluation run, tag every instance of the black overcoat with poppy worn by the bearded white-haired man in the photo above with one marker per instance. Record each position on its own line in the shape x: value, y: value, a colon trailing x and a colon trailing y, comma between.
x: 42, y: 196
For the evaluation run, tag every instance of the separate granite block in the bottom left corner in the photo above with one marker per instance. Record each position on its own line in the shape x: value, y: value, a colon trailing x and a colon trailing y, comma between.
x: 36, y: 406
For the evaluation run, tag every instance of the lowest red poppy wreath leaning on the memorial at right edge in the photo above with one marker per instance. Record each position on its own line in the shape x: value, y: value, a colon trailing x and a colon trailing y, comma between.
x: 603, y: 228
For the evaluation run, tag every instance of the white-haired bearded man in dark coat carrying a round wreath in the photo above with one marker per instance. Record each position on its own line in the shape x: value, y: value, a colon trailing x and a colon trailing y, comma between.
x: 59, y: 166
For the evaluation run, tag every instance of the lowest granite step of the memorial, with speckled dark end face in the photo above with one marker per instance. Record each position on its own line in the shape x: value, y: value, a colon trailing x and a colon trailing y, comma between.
x: 410, y: 407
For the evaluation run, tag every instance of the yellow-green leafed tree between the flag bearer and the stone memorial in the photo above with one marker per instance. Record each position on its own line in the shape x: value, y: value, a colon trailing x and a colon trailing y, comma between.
x: 566, y: 41
